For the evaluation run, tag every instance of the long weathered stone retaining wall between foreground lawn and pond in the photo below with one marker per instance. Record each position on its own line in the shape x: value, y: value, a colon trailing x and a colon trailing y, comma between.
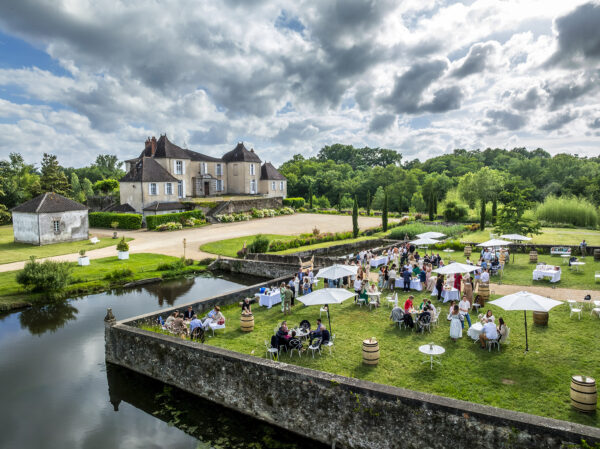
x: 332, y: 409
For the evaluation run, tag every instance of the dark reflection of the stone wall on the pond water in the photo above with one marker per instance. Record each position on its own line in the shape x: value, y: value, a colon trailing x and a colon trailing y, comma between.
x: 211, y: 423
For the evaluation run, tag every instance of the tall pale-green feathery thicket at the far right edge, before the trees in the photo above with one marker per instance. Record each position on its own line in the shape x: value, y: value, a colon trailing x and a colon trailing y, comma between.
x: 573, y: 210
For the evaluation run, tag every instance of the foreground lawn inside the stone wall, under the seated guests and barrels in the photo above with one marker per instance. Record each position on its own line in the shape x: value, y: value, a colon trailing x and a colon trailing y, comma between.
x: 536, y: 383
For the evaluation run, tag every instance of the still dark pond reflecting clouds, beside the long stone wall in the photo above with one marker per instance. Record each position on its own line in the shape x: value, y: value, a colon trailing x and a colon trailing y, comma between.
x: 57, y: 391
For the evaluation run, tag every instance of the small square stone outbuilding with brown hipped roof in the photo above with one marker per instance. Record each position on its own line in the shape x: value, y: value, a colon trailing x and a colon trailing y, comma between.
x: 50, y: 218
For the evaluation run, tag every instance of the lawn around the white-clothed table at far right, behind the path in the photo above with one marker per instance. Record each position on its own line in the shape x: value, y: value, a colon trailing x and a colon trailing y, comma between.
x: 520, y: 272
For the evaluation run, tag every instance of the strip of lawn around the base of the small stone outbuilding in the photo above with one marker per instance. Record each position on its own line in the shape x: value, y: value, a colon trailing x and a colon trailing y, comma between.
x: 15, y: 252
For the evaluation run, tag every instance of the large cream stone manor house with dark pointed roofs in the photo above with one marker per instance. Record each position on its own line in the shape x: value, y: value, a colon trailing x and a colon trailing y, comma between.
x: 164, y: 174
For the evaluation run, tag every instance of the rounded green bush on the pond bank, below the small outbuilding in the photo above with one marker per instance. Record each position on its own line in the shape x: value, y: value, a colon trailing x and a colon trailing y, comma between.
x: 49, y: 276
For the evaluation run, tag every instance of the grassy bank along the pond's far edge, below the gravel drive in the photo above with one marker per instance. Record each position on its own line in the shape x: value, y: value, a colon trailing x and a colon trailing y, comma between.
x: 90, y: 279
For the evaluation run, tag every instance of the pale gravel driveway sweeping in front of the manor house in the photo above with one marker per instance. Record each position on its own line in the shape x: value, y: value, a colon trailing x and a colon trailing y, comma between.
x: 171, y: 243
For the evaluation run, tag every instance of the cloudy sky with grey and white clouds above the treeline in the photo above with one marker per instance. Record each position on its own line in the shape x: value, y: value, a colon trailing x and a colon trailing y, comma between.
x: 83, y: 77
